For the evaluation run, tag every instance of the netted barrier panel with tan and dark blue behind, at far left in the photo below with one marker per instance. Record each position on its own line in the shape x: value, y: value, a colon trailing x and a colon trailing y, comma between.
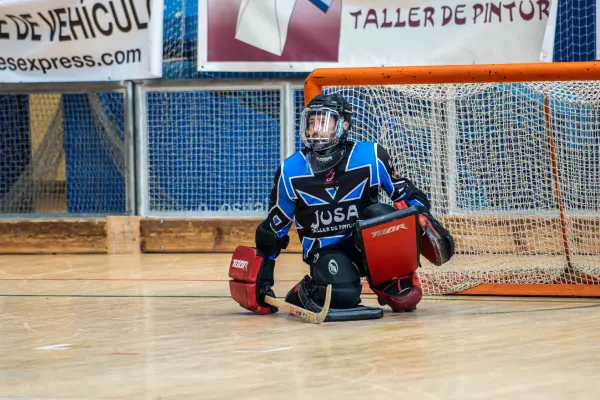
x: 62, y: 154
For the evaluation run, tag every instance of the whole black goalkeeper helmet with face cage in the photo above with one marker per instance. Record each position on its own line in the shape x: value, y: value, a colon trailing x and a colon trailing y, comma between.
x: 325, y: 122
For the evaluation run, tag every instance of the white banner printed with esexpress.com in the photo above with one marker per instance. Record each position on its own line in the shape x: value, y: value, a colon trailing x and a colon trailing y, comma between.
x: 80, y: 40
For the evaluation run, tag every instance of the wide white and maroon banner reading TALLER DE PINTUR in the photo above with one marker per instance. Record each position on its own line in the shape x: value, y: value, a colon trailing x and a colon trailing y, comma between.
x: 300, y: 35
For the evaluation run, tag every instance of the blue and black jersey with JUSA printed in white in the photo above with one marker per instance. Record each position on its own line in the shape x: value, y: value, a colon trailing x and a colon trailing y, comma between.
x: 326, y: 206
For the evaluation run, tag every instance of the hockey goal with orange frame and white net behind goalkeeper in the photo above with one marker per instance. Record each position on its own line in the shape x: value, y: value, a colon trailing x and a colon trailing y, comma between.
x: 510, y: 157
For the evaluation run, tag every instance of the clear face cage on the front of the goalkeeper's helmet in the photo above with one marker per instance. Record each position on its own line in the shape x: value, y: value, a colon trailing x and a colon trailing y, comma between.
x: 321, y: 129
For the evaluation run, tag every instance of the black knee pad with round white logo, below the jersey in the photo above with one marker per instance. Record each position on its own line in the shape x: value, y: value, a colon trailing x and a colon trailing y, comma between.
x: 337, y: 269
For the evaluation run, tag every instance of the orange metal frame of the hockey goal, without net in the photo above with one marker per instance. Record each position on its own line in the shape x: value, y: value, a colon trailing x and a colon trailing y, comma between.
x: 483, y: 73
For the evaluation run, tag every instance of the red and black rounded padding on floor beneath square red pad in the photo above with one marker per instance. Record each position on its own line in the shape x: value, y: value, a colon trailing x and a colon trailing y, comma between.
x: 401, y: 294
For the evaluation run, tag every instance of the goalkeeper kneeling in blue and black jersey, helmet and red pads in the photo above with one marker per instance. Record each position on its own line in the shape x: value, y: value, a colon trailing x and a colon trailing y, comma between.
x: 331, y: 189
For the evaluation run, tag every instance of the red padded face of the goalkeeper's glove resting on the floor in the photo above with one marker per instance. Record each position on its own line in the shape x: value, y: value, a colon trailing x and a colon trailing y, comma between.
x: 244, y: 268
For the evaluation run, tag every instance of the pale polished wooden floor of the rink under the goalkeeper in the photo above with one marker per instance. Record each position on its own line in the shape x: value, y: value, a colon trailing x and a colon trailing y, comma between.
x: 164, y: 327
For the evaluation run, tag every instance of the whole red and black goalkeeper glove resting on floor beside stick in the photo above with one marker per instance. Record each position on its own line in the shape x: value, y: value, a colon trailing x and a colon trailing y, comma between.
x: 251, y: 279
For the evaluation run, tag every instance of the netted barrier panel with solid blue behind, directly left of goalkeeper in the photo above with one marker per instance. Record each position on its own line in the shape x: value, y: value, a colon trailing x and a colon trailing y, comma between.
x: 212, y: 152
